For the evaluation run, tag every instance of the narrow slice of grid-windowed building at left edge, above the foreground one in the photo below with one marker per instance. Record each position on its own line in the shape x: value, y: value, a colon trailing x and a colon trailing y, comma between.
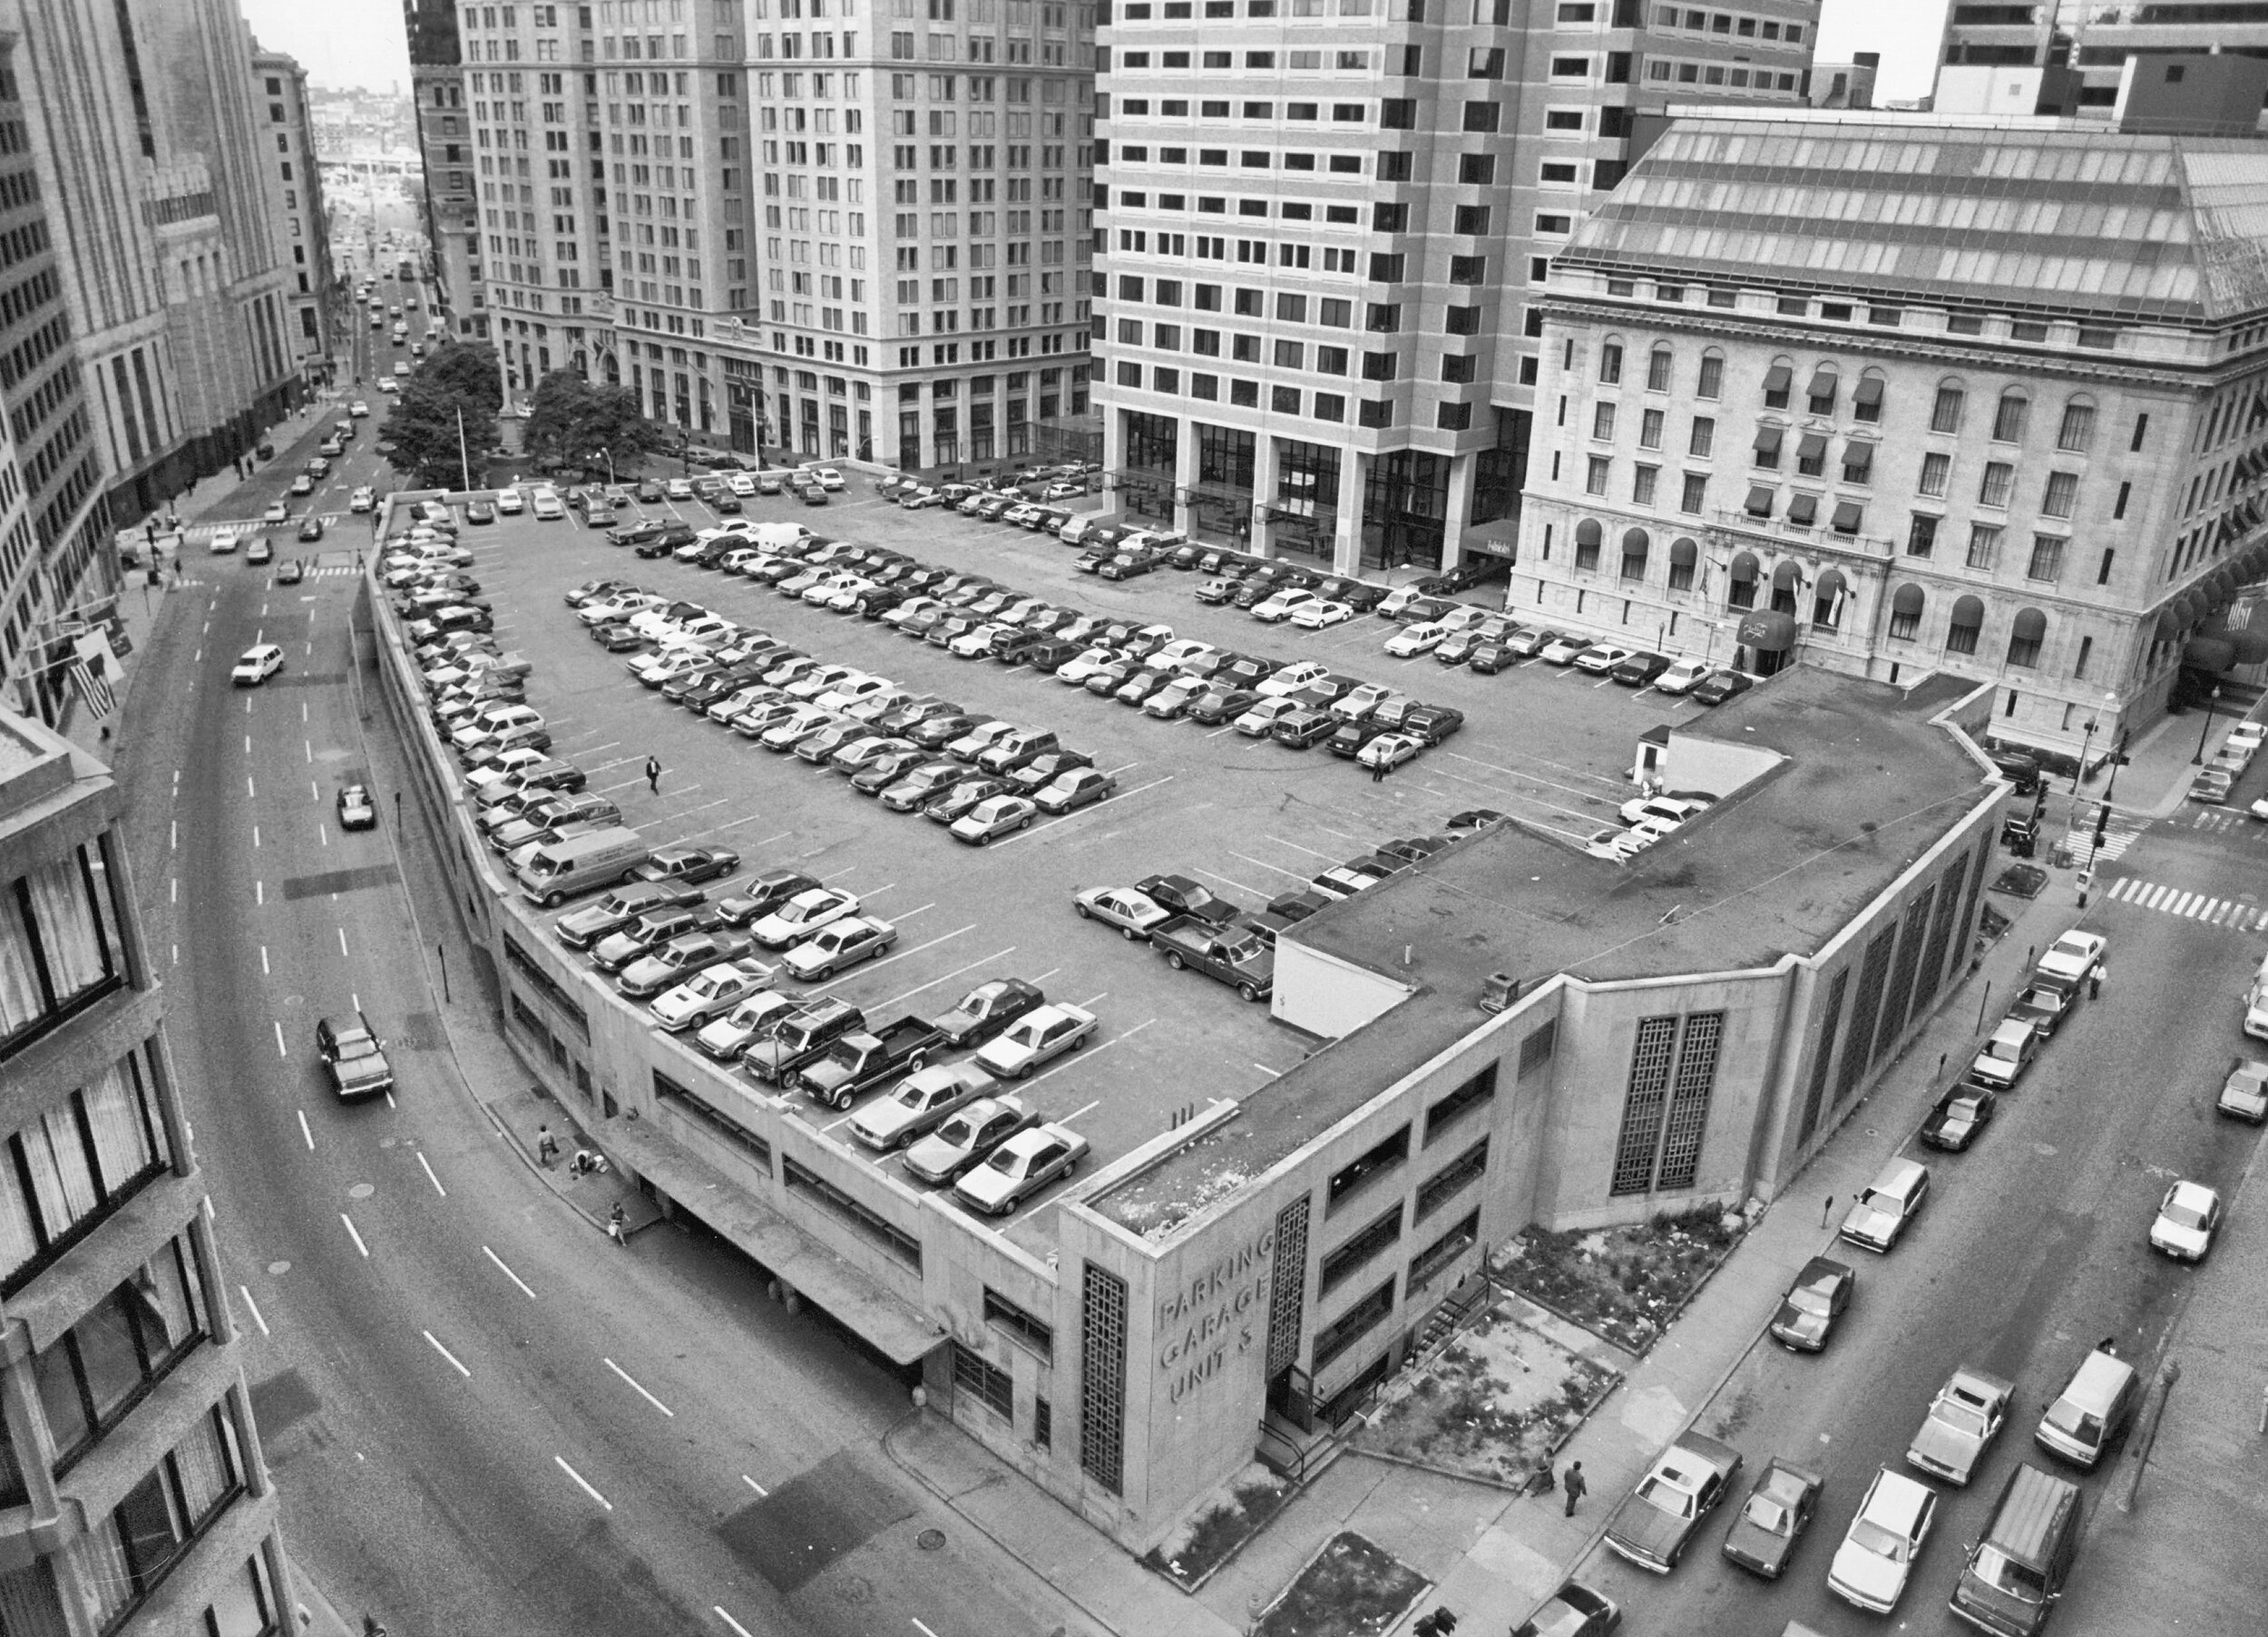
x: 53, y: 514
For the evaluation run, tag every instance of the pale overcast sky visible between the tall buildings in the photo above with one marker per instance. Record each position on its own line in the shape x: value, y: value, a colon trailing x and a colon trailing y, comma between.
x: 362, y: 44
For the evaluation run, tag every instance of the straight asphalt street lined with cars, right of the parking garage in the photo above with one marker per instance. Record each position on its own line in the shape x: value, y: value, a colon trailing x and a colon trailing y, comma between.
x: 2033, y: 1248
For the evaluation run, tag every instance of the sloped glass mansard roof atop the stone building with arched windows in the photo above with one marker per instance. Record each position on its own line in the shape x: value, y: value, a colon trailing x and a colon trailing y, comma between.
x: 2092, y: 223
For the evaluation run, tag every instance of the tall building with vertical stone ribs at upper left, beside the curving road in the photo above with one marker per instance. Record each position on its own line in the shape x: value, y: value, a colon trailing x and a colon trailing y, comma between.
x: 151, y: 149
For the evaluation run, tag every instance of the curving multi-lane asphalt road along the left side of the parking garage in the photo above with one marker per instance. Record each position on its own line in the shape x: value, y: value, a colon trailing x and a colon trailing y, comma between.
x: 482, y: 1416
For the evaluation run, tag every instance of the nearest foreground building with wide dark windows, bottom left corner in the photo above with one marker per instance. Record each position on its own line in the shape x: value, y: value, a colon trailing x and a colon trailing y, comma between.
x: 133, y: 1491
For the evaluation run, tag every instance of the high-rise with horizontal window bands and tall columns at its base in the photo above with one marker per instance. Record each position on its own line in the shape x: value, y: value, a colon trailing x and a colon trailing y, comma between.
x: 1323, y: 230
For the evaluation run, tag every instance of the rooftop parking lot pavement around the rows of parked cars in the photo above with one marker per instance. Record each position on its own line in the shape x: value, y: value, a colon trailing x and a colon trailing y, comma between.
x: 1244, y: 817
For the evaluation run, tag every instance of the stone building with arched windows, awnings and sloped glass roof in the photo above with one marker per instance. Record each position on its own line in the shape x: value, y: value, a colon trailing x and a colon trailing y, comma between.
x: 1899, y: 396
